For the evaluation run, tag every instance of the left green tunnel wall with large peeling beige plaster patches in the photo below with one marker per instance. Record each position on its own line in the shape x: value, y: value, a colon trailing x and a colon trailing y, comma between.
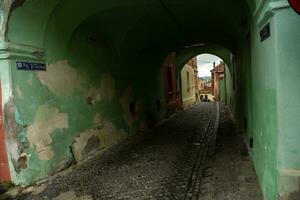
x: 80, y: 105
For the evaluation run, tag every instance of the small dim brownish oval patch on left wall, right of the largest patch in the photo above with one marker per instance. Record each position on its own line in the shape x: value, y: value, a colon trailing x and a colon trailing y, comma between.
x: 107, y: 89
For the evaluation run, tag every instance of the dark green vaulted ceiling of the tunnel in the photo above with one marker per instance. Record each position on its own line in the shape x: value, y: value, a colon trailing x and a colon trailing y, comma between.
x: 140, y: 27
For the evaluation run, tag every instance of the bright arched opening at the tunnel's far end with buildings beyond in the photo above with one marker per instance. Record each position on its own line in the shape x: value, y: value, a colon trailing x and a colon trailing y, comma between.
x: 206, y: 77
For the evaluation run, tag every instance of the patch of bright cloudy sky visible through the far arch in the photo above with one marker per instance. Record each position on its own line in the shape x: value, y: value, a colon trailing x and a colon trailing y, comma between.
x: 205, y: 64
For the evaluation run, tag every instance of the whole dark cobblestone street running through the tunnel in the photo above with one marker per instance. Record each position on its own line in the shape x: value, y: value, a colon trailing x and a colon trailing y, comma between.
x: 196, y: 154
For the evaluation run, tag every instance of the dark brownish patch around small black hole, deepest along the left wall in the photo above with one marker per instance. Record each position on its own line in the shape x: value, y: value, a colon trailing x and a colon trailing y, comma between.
x: 127, y: 99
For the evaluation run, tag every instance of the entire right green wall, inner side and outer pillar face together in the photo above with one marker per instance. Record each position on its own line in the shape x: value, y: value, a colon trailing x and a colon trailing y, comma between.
x: 266, y: 98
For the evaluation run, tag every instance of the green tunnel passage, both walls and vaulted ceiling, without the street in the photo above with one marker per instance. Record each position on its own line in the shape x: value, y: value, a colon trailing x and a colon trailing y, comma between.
x: 100, y: 75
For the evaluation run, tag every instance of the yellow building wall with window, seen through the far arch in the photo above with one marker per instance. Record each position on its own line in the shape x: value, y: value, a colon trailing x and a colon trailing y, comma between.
x: 187, y: 86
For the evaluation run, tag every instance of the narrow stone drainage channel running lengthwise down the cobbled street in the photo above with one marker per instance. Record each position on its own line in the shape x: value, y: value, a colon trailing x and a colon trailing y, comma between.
x: 205, y: 145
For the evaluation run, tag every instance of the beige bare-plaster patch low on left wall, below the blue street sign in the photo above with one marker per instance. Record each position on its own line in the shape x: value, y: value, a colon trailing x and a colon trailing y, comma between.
x: 47, y: 119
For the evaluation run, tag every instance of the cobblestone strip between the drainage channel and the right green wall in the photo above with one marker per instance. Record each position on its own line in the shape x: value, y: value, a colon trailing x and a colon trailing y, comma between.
x: 230, y: 174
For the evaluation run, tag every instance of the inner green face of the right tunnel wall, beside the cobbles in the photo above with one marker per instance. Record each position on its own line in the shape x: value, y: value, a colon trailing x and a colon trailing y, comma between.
x: 262, y: 105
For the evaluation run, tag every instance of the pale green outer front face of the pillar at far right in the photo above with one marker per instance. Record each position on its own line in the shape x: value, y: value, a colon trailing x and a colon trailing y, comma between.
x: 287, y: 50
